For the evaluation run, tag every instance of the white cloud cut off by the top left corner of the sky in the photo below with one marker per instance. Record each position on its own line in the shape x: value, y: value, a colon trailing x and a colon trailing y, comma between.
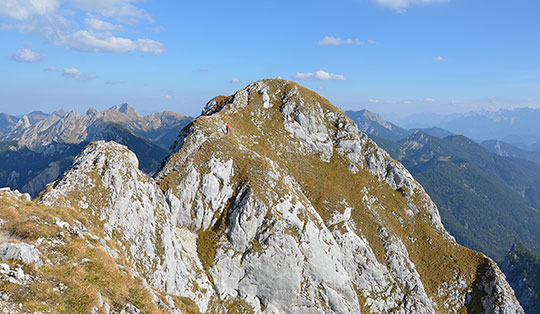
x: 25, y: 9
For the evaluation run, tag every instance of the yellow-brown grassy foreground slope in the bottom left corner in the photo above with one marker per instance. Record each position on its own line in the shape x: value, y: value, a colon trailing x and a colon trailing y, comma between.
x: 81, y: 266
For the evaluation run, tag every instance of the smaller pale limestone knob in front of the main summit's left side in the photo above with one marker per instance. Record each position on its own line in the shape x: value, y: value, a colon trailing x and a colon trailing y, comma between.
x: 106, y: 184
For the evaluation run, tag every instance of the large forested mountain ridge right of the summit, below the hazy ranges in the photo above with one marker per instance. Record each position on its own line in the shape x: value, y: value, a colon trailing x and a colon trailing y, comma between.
x: 486, y: 201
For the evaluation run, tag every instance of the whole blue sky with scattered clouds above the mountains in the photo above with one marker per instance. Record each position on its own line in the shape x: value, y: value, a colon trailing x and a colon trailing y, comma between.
x: 390, y: 56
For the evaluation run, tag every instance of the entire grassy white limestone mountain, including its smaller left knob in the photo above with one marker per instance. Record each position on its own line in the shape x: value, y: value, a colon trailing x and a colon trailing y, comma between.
x: 292, y: 211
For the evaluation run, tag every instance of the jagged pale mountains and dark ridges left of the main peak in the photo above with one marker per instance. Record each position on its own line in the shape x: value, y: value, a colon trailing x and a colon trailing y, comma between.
x: 37, y: 147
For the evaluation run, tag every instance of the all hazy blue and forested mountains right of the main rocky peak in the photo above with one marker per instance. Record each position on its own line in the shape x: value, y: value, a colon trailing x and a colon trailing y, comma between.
x: 488, y: 194
